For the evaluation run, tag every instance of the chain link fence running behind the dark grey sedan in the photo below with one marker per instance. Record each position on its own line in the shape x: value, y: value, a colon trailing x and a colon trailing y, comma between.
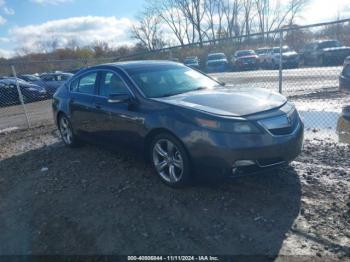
x: 303, y: 63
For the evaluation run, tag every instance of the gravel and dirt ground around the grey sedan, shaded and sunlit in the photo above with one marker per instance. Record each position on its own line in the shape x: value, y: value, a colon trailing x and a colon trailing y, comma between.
x: 91, y: 200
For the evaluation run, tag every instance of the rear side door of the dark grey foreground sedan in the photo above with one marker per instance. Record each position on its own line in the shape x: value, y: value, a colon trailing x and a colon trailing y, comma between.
x: 82, y: 92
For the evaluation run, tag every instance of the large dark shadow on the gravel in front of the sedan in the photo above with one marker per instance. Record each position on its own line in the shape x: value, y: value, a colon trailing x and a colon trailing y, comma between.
x: 56, y: 200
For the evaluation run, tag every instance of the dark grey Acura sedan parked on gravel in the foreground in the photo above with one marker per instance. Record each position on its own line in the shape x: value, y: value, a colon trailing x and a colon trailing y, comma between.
x: 184, y: 121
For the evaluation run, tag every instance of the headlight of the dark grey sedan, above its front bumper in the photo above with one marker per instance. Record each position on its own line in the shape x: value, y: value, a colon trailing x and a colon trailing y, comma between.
x: 239, y: 127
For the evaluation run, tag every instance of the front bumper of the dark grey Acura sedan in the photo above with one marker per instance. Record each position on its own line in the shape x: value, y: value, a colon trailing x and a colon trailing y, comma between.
x: 218, y: 153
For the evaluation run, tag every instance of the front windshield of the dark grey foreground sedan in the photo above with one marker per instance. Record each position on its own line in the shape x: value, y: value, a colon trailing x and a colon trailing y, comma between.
x: 162, y: 82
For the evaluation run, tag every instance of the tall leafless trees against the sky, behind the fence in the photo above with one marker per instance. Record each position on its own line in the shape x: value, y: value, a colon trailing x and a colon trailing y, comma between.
x: 181, y: 22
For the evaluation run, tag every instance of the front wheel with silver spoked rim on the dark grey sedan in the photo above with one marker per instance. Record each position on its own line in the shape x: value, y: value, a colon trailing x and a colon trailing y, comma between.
x: 170, y: 160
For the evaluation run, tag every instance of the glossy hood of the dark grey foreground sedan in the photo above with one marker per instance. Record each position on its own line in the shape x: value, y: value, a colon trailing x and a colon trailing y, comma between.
x: 234, y: 102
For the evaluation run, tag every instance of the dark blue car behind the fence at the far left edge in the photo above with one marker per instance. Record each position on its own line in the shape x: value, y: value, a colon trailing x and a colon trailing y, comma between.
x: 9, y: 93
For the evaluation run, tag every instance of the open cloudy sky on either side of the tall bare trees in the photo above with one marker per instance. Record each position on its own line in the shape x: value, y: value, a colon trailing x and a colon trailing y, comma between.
x: 24, y: 22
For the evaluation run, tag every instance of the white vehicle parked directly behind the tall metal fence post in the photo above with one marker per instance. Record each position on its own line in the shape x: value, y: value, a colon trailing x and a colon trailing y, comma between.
x: 290, y: 58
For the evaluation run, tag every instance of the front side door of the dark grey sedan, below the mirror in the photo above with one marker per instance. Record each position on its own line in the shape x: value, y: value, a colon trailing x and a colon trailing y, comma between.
x: 116, y: 122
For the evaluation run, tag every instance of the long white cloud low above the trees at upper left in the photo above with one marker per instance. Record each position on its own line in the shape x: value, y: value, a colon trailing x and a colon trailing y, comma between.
x: 80, y: 30
